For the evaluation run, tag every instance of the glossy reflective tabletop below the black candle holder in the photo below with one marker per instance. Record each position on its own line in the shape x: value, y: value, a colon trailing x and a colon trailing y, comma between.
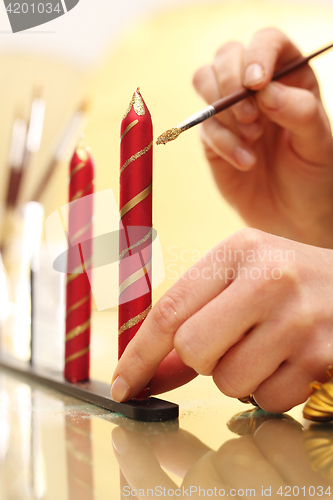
x: 56, y: 447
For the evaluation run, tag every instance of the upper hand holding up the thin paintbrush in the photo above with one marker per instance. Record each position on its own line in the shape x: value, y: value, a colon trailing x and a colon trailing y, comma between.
x: 271, y: 154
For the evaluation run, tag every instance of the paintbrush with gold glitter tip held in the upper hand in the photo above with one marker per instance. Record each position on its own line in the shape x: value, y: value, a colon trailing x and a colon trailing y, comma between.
x: 232, y: 99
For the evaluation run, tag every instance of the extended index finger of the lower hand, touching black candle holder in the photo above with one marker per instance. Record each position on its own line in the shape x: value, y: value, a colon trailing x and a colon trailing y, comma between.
x: 155, y: 339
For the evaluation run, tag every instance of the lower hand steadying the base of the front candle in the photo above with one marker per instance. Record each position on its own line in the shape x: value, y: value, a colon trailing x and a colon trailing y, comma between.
x: 255, y: 313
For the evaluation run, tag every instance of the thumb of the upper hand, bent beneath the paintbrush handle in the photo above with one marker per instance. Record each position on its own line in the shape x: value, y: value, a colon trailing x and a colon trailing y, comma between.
x: 303, y: 116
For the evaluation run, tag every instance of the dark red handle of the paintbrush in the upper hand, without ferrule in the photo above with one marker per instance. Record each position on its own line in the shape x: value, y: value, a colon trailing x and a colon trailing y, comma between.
x: 232, y: 99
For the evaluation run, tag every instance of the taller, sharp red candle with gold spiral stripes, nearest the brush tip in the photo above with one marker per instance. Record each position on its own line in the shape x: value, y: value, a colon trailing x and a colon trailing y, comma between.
x: 136, y: 154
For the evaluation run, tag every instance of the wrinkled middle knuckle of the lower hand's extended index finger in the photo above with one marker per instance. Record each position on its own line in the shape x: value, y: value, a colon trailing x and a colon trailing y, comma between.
x: 168, y: 313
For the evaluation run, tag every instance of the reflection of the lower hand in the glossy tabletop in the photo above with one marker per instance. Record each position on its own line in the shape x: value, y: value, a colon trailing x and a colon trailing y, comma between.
x: 272, y: 460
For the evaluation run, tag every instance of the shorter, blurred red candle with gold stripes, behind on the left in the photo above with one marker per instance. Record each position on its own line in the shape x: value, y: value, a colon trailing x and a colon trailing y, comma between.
x: 78, y: 298
